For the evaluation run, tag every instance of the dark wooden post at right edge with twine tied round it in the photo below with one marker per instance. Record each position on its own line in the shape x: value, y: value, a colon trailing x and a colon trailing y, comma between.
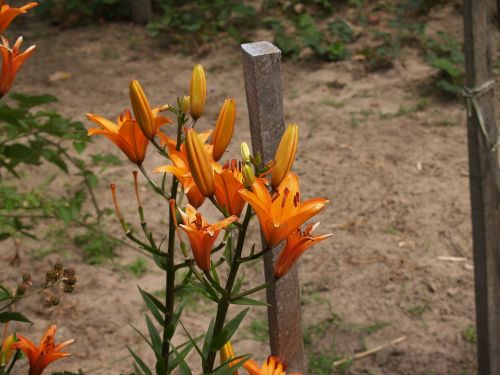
x: 484, y: 183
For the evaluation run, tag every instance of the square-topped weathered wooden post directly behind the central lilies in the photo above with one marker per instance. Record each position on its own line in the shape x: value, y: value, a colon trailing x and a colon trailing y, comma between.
x: 262, y: 71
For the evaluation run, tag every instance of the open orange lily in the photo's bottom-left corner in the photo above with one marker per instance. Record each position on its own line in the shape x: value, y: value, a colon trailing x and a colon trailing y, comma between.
x: 46, y: 352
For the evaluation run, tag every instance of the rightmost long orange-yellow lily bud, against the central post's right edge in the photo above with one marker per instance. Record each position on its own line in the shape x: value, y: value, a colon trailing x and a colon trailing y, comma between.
x: 285, y: 154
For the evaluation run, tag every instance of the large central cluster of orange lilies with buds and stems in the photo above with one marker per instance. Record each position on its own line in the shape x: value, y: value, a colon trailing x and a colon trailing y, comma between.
x: 269, y: 189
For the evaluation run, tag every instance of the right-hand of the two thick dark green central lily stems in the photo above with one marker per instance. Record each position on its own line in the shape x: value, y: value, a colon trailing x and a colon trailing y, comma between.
x: 226, y: 298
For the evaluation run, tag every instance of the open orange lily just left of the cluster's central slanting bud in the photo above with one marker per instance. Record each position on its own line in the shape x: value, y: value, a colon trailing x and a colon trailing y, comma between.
x: 180, y: 169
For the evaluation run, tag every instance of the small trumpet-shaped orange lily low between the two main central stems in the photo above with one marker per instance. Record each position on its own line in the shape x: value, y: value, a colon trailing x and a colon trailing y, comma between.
x: 201, y: 234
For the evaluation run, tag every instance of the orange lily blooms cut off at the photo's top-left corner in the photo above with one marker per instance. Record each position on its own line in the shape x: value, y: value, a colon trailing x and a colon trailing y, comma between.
x: 12, y: 58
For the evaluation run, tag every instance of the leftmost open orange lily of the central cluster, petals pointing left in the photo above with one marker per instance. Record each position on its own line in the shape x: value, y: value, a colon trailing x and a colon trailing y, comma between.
x: 126, y: 134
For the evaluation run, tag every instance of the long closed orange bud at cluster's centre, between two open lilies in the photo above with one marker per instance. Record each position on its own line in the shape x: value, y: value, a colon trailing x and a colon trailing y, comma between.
x: 199, y: 164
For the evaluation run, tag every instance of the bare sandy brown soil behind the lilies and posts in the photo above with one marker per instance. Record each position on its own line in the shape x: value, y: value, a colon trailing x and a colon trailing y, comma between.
x: 397, y: 181
